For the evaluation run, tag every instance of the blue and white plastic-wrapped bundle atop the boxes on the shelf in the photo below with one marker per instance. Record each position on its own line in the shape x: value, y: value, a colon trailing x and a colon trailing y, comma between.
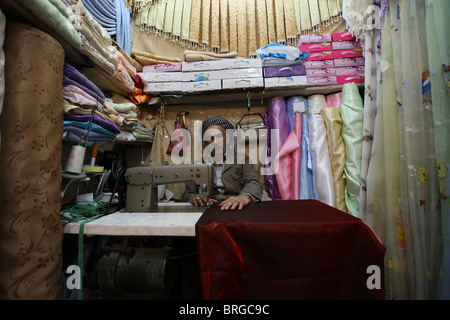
x: 278, y: 55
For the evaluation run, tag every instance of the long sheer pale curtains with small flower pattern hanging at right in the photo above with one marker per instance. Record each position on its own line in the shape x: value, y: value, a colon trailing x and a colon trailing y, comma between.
x: 403, y: 203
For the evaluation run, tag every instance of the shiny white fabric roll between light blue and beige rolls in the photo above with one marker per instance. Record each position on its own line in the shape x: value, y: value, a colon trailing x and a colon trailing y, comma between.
x: 323, y: 178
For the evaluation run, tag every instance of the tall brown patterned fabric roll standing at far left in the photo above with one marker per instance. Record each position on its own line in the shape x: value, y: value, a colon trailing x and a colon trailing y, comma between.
x: 30, y: 166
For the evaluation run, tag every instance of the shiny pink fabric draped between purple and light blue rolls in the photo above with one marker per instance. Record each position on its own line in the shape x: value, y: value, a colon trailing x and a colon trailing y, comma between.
x: 289, y: 157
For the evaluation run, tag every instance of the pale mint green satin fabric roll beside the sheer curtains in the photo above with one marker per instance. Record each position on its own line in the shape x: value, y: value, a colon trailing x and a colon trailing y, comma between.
x: 352, y: 113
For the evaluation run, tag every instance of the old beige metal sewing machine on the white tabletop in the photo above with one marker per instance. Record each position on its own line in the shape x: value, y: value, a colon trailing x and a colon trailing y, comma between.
x: 143, y: 181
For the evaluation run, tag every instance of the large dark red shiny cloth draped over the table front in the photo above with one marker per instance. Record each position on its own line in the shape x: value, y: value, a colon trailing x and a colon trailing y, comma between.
x: 294, y: 249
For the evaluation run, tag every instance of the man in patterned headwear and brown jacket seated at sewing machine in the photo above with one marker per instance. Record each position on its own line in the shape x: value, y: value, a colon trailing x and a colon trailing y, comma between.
x: 235, y: 185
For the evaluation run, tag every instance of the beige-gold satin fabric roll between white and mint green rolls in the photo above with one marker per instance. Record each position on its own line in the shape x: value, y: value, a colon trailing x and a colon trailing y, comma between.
x: 336, y: 150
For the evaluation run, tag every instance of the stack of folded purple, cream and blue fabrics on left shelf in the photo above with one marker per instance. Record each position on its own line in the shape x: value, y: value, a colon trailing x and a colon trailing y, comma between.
x: 81, y: 99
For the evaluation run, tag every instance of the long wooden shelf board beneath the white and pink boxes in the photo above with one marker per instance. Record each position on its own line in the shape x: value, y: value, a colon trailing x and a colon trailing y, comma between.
x: 241, y: 94
